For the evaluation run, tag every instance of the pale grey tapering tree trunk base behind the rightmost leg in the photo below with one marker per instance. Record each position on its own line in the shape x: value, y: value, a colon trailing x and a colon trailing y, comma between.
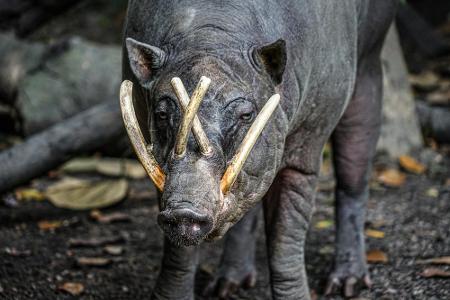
x: 400, y: 131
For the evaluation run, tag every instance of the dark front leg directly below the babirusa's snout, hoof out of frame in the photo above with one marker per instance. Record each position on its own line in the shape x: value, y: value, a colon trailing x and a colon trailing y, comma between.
x: 176, y: 279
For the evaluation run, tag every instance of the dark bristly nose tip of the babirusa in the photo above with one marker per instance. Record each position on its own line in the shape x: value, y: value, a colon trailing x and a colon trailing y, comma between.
x: 185, y: 226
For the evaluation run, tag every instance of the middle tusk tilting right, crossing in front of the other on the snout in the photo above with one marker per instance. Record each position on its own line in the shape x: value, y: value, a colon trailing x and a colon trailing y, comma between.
x: 188, y: 117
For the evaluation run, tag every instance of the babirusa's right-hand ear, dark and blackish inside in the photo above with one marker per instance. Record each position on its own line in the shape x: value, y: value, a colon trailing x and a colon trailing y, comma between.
x: 273, y: 57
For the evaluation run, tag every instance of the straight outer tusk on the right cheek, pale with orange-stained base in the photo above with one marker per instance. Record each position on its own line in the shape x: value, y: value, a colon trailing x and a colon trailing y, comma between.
x: 236, y: 164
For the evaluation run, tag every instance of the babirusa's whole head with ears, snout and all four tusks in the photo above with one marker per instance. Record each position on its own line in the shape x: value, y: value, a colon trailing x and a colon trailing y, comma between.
x: 205, y: 156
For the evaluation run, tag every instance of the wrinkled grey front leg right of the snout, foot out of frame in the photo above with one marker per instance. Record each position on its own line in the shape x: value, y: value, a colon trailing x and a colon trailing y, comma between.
x: 288, y: 209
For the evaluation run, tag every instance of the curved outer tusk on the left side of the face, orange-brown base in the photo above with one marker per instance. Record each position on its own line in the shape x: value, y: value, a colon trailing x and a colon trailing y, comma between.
x: 147, y: 159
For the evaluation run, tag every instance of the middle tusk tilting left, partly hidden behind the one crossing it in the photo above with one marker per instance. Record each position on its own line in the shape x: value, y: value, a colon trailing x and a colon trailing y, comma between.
x: 199, y: 133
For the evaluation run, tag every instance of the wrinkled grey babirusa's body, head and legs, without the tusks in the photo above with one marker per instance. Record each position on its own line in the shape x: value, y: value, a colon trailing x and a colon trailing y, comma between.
x: 322, y: 57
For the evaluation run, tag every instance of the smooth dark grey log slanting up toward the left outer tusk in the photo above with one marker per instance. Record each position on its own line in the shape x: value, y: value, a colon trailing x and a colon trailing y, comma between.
x: 84, y: 132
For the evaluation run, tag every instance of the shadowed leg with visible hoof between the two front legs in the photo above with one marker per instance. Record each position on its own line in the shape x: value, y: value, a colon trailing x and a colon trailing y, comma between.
x: 237, y: 266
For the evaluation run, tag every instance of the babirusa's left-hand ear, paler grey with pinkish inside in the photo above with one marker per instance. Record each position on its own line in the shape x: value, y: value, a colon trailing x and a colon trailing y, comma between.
x: 144, y: 59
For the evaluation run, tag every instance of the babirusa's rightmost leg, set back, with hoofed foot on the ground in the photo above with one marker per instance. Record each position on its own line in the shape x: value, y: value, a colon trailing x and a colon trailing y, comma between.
x: 354, y: 141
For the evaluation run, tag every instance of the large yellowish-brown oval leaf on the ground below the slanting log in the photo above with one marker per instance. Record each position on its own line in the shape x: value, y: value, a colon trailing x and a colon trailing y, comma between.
x: 80, y: 194
